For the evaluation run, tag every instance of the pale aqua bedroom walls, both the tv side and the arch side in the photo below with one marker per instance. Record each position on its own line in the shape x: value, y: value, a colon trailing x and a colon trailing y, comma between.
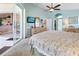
x: 33, y: 10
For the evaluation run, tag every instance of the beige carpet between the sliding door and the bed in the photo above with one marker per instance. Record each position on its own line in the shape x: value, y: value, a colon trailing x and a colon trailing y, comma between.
x: 22, y: 48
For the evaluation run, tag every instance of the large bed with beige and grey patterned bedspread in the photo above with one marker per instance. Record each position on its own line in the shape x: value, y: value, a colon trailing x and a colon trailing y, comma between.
x: 55, y: 43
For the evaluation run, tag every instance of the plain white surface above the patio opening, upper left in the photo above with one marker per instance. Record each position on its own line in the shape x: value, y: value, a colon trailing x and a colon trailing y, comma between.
x: 7, y: 7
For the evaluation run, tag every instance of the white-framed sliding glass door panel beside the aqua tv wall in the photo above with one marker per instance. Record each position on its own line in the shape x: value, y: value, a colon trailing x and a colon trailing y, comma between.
x: 18, y: 23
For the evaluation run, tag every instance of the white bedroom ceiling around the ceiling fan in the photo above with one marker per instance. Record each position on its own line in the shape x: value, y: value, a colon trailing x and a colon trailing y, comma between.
x: 64, y: 6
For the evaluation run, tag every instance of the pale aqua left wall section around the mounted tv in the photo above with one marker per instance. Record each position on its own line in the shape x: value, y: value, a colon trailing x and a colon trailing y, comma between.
x: 34, y: 11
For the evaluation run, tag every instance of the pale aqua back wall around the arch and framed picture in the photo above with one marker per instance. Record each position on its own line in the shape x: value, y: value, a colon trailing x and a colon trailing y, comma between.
x: 66, y: 14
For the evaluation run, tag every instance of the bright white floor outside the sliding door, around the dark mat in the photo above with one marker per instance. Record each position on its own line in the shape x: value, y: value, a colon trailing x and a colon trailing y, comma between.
x: 3, y: 40
